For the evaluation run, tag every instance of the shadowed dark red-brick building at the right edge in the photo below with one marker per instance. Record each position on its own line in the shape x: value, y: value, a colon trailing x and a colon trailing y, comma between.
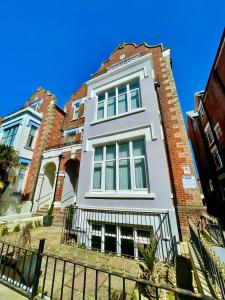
x: 206, y: 128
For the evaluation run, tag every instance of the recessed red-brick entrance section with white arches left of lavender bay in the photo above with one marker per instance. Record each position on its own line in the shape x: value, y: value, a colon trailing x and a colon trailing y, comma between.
x: 59, y: 171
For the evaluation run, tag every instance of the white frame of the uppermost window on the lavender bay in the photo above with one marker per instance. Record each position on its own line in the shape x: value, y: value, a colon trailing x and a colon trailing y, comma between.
x: 128, y: 94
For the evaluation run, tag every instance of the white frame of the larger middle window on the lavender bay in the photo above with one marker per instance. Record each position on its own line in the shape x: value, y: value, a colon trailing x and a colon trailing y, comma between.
x: 132, y: 168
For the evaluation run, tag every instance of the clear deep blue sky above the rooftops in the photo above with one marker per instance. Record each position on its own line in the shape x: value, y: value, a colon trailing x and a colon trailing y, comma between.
x: 58, y: 44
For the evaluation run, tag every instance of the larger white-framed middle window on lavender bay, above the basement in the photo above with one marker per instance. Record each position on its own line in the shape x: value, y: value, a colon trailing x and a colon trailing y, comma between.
x: 120, y: 166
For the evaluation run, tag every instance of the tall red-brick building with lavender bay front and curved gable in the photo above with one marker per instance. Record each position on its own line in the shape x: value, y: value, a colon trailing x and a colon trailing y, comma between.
x: 123, y: 157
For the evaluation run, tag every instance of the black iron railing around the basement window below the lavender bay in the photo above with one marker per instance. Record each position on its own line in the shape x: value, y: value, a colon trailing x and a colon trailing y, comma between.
x: 120, y: 232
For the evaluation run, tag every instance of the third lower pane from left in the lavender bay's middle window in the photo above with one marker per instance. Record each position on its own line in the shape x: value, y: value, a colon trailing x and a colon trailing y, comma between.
x: 124, y: 174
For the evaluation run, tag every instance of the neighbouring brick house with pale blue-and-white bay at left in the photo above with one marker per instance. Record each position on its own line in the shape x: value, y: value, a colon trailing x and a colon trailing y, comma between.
x: 27, y: 131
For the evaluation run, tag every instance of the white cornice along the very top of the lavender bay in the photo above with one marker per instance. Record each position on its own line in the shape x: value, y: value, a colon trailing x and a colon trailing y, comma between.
x: 144, y: 58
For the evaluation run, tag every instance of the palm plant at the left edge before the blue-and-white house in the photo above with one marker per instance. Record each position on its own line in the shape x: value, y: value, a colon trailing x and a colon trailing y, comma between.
x: 8, y: 159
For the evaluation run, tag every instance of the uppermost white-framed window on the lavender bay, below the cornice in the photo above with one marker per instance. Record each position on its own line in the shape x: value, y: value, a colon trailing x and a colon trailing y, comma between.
x: 118, y: 100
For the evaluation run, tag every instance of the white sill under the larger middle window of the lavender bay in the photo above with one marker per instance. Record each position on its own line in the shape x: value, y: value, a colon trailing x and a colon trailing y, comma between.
x: 131, y: 195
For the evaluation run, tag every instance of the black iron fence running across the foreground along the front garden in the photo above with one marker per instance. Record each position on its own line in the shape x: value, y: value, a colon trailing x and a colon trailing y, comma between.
x: 34, y: 272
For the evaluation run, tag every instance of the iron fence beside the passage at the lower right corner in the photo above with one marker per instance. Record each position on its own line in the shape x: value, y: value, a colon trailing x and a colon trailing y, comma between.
x: 214, y: 268
